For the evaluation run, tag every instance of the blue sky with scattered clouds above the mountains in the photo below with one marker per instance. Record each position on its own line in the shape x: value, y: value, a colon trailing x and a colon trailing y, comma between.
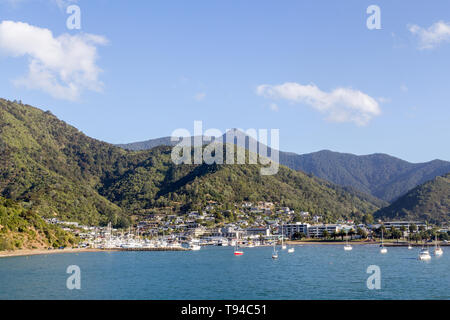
x: 165, y: 64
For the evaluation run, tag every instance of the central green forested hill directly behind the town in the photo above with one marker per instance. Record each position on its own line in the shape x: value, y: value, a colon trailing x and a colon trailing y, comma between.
x: 159, y: 183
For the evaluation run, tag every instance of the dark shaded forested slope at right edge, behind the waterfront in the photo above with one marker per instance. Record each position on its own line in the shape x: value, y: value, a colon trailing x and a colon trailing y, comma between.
x: 427, y: 202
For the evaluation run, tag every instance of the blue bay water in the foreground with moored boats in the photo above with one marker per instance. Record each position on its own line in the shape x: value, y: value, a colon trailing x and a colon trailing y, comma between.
x: 312, y: 272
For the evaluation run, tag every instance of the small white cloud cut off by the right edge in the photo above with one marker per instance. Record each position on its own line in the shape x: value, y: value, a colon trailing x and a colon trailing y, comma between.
x: 435, y: 34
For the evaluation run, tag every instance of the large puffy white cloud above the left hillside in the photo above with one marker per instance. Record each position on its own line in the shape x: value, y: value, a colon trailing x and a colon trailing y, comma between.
x: 63, y: 66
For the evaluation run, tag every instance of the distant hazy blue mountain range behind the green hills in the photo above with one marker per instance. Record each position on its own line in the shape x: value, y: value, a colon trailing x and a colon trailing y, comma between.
x: 380, y: 175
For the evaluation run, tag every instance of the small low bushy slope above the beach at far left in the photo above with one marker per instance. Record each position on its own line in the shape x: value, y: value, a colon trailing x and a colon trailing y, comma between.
x: 21, y: 228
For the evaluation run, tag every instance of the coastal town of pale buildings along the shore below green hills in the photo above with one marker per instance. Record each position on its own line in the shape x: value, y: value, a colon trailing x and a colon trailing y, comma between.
x: 247, y: 225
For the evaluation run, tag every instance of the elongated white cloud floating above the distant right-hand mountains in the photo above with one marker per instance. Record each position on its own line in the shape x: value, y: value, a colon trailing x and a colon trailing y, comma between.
x: 340, y: 105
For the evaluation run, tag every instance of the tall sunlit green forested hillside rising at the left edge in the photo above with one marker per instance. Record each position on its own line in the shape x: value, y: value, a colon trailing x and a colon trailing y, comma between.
x: 53, y: 166
